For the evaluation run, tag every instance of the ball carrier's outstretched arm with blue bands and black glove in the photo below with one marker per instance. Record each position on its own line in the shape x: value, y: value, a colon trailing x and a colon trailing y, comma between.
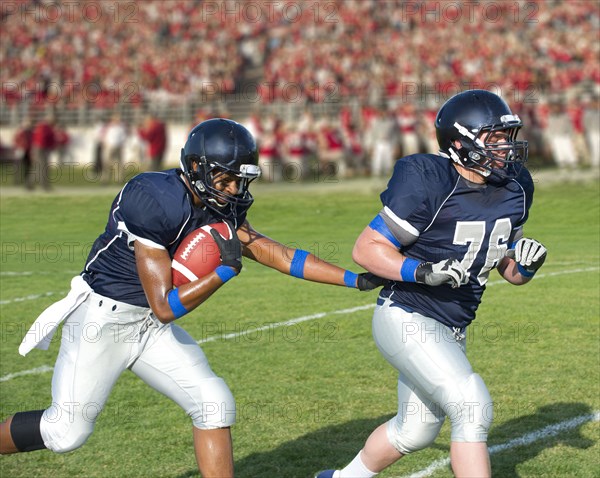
x: 300, y: 263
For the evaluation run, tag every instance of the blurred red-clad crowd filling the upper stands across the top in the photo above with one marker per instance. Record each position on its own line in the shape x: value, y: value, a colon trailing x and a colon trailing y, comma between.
x: 112, y: 51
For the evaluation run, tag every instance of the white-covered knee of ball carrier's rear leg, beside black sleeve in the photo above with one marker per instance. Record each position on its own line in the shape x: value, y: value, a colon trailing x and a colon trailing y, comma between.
x: 66, y: 429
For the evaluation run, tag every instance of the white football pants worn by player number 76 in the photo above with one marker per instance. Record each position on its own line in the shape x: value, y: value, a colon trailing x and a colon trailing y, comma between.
x: 435, y: 380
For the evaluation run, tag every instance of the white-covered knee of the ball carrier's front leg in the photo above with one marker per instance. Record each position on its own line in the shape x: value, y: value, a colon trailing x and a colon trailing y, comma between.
x: 216, y: 409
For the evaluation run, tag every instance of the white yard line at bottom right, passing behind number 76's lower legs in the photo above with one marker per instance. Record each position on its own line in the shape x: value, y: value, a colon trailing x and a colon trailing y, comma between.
x: 529, y: 438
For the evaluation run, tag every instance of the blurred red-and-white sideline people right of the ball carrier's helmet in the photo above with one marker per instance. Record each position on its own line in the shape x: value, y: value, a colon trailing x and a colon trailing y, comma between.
x: 368, y: 143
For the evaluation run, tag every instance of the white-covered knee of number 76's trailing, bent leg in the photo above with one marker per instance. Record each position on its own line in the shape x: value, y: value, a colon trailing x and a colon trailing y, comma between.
x: 408, y: 433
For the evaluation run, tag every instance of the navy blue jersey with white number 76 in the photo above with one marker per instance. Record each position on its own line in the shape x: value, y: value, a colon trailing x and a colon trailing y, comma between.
x: 441, y: 215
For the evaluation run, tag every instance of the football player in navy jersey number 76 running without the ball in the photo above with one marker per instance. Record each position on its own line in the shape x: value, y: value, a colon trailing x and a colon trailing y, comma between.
x: 447, y: 220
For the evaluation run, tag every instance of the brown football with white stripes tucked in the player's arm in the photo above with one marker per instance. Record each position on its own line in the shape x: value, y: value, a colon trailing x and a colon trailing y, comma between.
x: 198, y: 254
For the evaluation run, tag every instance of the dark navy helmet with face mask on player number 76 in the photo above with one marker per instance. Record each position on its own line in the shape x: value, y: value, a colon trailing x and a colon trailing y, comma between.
x: 487, y: 131
